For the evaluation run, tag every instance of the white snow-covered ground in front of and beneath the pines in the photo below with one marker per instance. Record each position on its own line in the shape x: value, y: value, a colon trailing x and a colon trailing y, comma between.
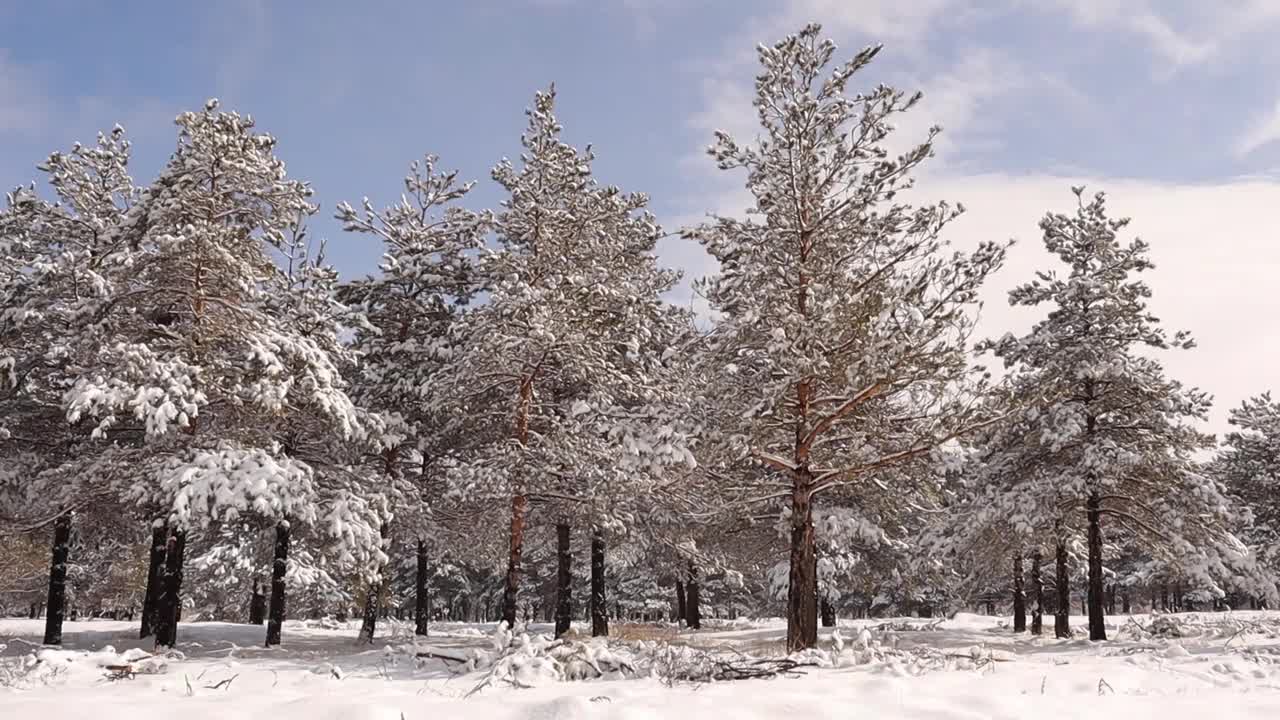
x: 1229, y: 671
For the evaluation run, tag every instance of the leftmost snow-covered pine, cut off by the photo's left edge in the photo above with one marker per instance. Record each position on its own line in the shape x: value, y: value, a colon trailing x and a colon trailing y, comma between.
x: 56, y: 277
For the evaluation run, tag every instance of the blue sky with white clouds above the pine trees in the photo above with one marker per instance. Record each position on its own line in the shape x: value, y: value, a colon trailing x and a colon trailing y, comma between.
x: 1173, y: 107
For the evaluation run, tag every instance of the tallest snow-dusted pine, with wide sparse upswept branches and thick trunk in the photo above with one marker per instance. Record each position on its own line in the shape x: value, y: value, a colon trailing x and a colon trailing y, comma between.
x: 839, y: 304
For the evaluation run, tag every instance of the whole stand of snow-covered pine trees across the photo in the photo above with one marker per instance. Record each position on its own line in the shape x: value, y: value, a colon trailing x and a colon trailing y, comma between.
x: 203, y: 421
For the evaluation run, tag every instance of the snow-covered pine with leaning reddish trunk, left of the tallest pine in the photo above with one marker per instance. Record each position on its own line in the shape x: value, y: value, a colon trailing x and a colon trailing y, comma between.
x: 557, y: 373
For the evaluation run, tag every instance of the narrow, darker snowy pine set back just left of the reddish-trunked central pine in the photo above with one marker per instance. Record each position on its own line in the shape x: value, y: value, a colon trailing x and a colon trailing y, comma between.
x: 403, y: 318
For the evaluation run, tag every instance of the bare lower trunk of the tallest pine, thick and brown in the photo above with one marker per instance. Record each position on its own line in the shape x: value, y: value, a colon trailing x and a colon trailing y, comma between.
x: 803, y: 581
